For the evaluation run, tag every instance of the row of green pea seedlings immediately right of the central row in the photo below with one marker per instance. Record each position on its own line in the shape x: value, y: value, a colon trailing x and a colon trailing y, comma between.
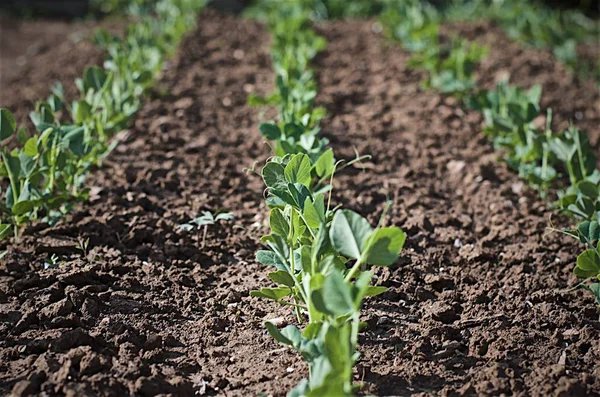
x: 540, y: 156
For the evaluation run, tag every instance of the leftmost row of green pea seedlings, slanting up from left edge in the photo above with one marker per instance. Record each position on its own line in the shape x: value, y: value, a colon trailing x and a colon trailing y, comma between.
x: 45, y: 171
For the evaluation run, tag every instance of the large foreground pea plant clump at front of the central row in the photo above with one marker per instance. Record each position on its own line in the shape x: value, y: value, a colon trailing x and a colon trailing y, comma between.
x: 319, y: 258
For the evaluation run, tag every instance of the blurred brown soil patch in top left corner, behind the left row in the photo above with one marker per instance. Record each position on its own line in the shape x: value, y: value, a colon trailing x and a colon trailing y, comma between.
x: 36, y: 54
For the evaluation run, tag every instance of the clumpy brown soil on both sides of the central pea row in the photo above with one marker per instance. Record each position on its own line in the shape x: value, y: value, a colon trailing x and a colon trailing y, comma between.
x: 480, y: 301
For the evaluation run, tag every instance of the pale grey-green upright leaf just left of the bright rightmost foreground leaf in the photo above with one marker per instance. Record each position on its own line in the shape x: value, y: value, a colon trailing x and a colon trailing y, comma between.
x: 349, y: 233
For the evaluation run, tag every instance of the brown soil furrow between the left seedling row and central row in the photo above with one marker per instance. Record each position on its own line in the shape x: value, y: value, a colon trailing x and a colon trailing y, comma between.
x: 148, y: 310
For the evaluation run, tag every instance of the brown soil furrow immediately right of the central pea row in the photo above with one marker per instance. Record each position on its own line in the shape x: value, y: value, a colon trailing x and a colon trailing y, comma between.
x: 479, y: 303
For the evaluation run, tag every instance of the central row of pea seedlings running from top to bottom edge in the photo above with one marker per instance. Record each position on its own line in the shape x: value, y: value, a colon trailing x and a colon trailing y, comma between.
x: 319, y: 253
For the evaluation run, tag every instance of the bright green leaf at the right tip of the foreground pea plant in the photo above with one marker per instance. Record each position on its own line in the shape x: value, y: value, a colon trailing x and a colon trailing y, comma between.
x: 384, y: 246
